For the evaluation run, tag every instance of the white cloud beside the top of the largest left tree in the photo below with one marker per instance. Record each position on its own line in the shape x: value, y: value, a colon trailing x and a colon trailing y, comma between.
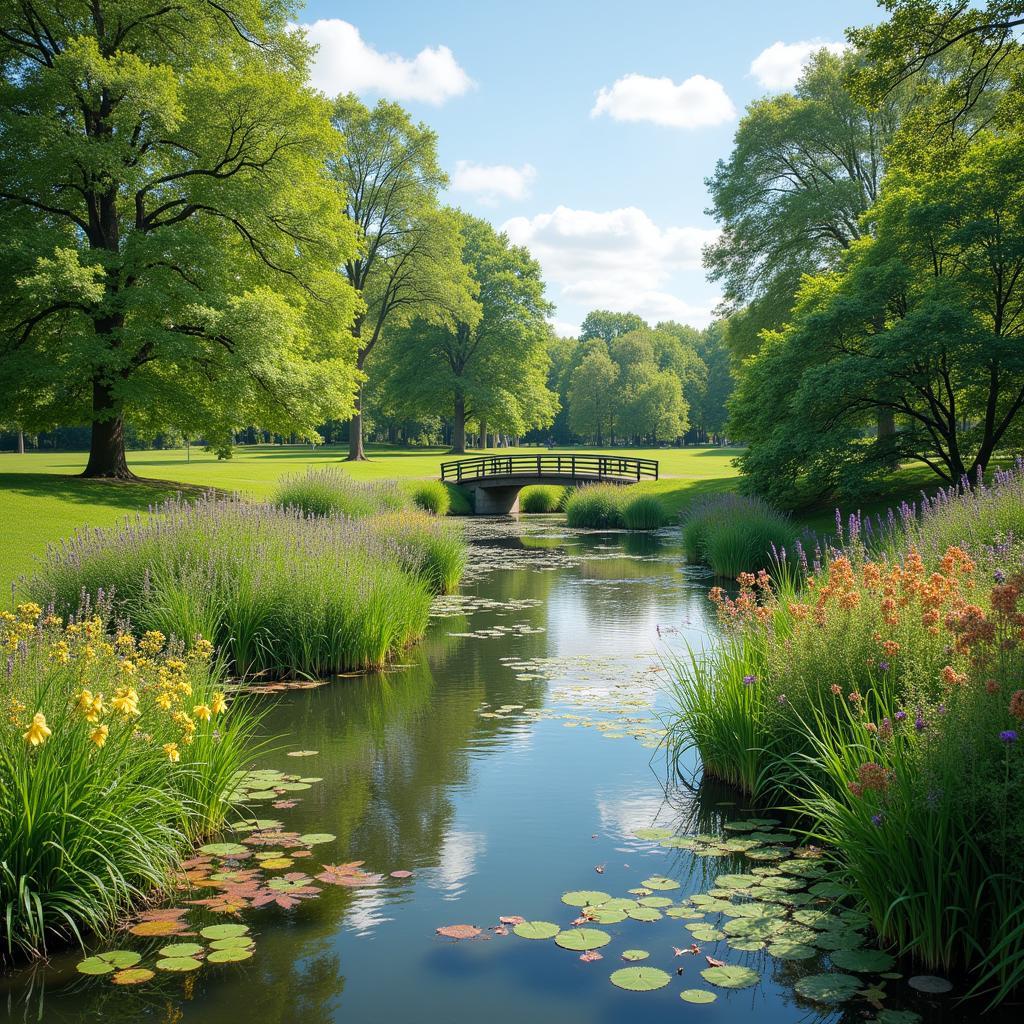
x: 346, y: 63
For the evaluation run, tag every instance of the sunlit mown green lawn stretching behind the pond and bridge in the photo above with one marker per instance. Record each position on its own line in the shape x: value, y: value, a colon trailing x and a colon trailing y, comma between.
x: 42, y: 500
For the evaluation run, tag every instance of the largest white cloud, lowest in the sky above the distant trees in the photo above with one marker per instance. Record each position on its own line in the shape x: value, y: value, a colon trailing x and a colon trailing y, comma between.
x: 617, y: 260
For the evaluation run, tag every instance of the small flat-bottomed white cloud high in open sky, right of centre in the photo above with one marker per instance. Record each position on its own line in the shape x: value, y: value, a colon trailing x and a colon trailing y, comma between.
x: 695, y: 104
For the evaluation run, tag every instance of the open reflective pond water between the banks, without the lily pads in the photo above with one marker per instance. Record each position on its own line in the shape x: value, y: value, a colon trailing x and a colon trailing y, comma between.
x: 495, y: 809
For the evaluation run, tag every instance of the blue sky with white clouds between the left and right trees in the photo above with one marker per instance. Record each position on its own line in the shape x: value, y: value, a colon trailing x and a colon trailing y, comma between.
x: 585, y: 130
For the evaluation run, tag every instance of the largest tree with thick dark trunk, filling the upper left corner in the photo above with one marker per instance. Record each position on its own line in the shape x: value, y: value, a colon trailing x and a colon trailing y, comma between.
x: 170, y: 233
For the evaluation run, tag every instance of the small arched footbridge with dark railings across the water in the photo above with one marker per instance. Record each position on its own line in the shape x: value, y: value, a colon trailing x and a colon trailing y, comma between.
x: 495, y: 481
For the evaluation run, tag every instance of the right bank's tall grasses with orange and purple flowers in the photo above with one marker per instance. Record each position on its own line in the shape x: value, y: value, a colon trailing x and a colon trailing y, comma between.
x: 876, y: 694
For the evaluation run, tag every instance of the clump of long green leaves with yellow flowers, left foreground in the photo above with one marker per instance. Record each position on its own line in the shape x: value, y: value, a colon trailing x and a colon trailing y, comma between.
x: 116, y: 755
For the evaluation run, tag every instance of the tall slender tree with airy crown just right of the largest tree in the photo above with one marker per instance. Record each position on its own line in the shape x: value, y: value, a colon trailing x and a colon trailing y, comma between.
x: 410, y: 262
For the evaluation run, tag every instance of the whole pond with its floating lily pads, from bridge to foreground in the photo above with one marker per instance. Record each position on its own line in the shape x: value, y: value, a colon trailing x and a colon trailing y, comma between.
x: 511, y: 770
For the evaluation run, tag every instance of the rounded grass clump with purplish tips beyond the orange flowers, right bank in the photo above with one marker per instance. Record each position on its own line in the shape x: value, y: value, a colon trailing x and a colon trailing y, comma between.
x: 735, y: 534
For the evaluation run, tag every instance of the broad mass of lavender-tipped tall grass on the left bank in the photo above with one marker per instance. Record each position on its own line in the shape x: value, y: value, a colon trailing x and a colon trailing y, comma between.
x: 279, y: 592
